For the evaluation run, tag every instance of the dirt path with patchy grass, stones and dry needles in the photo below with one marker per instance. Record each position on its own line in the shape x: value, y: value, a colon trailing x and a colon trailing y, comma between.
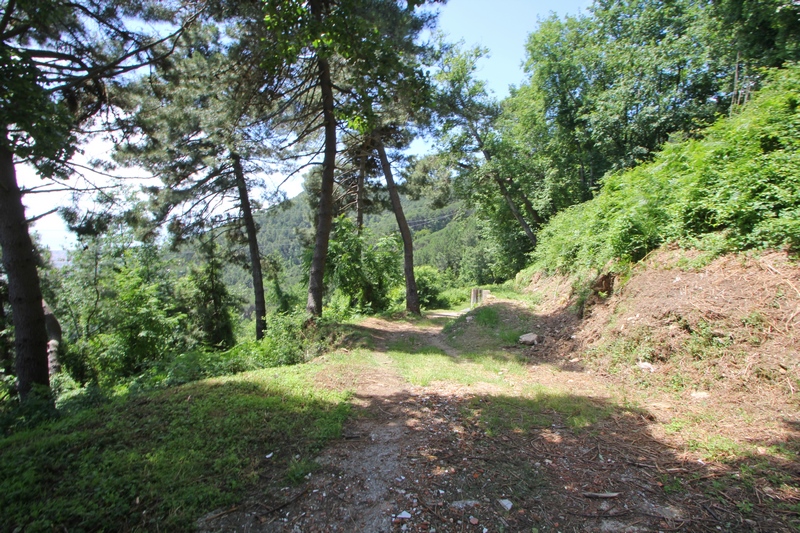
x: 459, y: 429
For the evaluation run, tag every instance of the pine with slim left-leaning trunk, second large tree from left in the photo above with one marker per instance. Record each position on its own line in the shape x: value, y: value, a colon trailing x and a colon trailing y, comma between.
x: 206, y: 124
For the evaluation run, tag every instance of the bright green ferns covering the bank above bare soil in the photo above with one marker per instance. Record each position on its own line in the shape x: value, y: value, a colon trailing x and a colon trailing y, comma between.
x: 735, y: 188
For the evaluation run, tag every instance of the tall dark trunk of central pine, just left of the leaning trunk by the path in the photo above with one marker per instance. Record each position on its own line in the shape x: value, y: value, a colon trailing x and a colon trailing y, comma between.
x: 316, y: 275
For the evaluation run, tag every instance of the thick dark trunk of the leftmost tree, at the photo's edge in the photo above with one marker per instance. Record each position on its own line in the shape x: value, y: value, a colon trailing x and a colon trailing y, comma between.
x: 24, y: 289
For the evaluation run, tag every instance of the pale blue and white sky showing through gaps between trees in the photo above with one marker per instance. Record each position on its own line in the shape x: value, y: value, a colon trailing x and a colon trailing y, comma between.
x: 502, y: 26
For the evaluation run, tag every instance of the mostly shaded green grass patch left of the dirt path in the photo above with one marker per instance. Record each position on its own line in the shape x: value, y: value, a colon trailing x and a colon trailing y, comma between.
x: 159, y: 461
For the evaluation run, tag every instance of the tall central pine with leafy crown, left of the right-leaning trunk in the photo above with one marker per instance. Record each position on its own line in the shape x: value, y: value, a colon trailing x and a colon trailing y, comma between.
x: 353, y: 35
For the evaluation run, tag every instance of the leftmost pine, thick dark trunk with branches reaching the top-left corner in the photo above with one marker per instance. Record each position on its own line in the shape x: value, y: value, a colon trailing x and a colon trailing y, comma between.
x: 55, y: 59
